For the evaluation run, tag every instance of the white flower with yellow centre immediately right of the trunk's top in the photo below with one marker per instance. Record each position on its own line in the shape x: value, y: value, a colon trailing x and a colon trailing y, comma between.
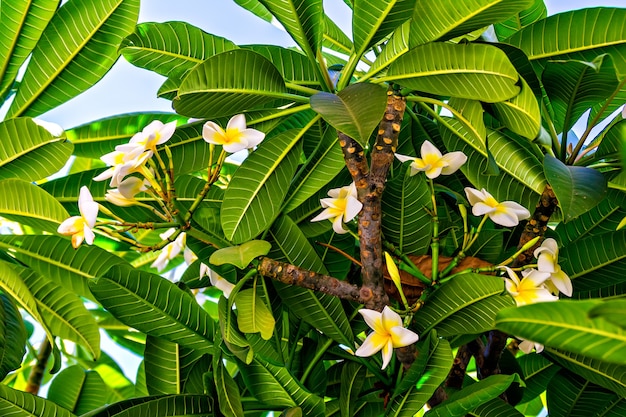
x: 432, y: 162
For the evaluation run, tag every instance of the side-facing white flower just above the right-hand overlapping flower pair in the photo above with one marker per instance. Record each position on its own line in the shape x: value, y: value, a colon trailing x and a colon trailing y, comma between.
x: 507, y: 213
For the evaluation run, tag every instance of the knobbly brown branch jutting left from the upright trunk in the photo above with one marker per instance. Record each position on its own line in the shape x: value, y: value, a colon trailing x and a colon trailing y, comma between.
x: 293, y: 275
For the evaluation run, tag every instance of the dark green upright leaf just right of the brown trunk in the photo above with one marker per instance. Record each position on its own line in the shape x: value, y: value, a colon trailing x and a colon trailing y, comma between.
x: 406, y: 223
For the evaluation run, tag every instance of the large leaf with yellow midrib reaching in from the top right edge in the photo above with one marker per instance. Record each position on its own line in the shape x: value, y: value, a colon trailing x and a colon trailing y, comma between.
x: 553, y: 39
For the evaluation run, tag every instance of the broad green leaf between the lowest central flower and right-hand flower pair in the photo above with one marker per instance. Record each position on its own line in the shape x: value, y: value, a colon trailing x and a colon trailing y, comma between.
x: 452, y: 306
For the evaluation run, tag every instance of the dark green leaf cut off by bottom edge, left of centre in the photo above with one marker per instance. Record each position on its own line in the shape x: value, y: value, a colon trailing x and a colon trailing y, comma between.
x: 181, y: 405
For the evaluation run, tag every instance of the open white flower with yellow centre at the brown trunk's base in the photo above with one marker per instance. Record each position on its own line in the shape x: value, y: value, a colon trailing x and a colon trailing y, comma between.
x: 389, y: 333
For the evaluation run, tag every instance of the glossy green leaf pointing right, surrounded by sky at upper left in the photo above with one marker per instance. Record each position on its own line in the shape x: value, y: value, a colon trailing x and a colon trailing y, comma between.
x: 171, y: 48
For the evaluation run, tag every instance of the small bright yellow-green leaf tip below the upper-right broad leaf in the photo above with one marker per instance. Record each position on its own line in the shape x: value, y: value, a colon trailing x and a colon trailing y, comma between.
x: 520, y: 113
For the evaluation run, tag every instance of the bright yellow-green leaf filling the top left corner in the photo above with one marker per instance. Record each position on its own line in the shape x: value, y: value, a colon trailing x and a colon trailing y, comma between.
x: 22, y: 22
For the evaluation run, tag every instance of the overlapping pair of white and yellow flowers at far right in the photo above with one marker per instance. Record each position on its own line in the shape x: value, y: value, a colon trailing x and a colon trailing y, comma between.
x: 543, y: 283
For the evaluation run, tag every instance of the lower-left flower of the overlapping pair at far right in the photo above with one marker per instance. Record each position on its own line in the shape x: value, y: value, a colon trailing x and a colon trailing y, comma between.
x: 530, y: 289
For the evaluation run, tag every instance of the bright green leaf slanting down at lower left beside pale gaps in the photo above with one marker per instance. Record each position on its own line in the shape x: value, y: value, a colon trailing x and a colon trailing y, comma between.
x: 63, y: 312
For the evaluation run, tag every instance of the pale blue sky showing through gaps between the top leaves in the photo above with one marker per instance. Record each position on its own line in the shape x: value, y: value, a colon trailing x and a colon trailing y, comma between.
x: 129, y: 89
